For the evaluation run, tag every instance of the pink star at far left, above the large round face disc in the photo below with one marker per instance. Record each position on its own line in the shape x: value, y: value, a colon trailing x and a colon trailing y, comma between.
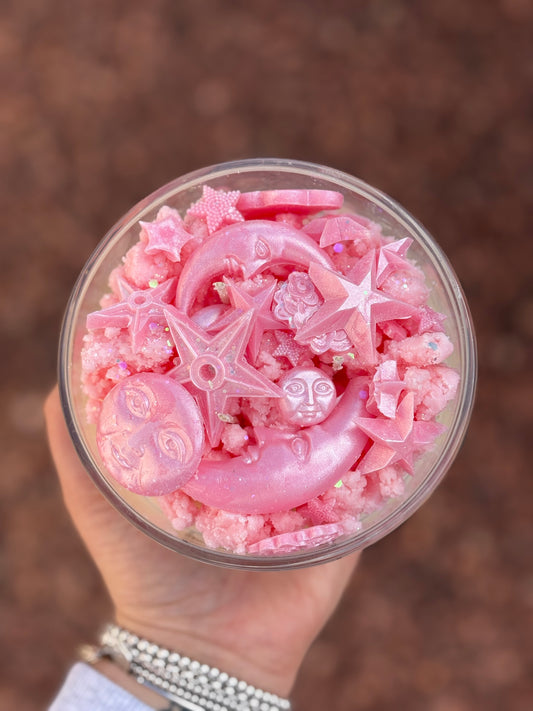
x: 136, y: 310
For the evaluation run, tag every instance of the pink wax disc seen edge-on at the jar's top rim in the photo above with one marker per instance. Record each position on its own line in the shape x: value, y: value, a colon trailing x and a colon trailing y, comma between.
x: 271, y: 202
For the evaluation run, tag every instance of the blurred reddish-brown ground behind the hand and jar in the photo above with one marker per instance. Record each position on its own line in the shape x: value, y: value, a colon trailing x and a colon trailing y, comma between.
x: 101, y: 102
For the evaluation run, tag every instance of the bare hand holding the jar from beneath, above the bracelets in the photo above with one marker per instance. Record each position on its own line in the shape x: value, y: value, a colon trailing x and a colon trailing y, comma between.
x: 254, y: 625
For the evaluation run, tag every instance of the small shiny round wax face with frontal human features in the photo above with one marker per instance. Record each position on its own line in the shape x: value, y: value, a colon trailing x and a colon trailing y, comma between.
x: 308, y: 396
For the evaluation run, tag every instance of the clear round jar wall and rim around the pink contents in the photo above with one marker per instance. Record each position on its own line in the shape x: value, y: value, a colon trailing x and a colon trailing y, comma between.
x: 446, y: 297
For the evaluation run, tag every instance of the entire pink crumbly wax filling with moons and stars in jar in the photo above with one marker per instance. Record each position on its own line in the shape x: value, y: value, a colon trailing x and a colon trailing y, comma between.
x: 267, y: 367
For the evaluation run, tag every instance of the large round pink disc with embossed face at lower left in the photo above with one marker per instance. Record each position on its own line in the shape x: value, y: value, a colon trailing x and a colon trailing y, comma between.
x: 150, y: 434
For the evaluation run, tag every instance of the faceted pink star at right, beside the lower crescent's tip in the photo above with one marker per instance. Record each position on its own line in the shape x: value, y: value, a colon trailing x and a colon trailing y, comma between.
x: 396, y: 440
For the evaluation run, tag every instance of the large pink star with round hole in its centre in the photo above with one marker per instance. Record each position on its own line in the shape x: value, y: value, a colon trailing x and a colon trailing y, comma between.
x: 213, y: 368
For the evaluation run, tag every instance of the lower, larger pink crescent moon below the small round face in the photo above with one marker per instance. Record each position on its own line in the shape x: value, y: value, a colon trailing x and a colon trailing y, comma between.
x: 287, y: 469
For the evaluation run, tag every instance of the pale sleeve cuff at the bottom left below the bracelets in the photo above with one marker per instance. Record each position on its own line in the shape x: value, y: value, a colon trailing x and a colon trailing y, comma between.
x: 85, y: 689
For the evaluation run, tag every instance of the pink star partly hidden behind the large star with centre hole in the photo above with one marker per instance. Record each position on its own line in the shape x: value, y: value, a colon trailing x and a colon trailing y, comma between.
x: 260, y: 303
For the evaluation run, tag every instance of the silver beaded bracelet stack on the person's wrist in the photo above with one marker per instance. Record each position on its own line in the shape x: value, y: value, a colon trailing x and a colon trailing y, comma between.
x: 190, y: 684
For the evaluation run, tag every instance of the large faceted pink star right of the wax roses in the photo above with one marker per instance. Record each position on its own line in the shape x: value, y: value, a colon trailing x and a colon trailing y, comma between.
x: 354, y: 304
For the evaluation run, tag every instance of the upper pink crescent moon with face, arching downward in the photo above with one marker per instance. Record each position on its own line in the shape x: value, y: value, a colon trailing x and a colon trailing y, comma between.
x: 245, y: 249
